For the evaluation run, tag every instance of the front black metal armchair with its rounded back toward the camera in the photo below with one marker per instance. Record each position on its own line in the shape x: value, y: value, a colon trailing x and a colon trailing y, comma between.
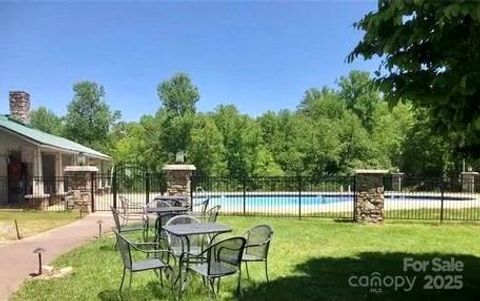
x: 221, y: 259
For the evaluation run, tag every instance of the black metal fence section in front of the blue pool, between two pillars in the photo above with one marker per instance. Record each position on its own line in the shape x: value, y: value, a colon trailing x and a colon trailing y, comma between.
x: 279, y: 196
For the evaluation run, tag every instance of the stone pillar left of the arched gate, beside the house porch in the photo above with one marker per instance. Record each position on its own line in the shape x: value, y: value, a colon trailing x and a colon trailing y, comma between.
x: 79, y: 185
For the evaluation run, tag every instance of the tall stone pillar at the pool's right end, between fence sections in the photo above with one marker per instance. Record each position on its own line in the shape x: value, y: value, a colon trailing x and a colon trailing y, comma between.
x: 369, y: 194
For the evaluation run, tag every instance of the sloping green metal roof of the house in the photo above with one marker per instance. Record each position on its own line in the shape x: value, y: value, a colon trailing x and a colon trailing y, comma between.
x: 47, y: 140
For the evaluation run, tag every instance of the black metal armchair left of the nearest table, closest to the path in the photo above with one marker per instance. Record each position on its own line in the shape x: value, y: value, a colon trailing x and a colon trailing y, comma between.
x: 155, y: 263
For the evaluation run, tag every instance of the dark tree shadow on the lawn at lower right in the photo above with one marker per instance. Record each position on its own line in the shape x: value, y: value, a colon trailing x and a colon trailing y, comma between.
x: 328, y: 279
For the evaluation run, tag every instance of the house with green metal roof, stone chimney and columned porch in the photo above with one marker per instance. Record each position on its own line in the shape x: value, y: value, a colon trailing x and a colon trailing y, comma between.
x: 32, y: 161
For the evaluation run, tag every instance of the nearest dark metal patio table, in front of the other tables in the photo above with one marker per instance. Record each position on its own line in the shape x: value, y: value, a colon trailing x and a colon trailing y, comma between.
x: 186, y: 230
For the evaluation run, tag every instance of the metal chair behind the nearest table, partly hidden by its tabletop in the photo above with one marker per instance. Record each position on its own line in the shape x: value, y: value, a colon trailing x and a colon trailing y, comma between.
x: 178, y: 245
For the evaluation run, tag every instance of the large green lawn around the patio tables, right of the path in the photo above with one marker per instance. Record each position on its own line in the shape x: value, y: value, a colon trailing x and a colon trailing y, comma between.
x: 311, y: 259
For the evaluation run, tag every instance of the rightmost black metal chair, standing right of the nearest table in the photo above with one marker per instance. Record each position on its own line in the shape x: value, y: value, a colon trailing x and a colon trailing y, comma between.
x: 258, y: 244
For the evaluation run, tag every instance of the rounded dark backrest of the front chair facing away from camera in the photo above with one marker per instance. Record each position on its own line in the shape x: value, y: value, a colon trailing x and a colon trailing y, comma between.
x: 228, y: 251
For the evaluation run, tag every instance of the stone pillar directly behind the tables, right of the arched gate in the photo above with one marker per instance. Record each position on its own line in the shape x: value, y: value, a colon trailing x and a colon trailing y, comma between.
x: 178, y: 178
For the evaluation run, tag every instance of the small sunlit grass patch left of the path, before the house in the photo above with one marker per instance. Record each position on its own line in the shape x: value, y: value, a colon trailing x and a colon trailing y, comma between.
x: 31, y: 222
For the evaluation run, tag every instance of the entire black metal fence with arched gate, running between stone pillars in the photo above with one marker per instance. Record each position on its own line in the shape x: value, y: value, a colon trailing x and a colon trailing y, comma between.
x: 411, y: 198
